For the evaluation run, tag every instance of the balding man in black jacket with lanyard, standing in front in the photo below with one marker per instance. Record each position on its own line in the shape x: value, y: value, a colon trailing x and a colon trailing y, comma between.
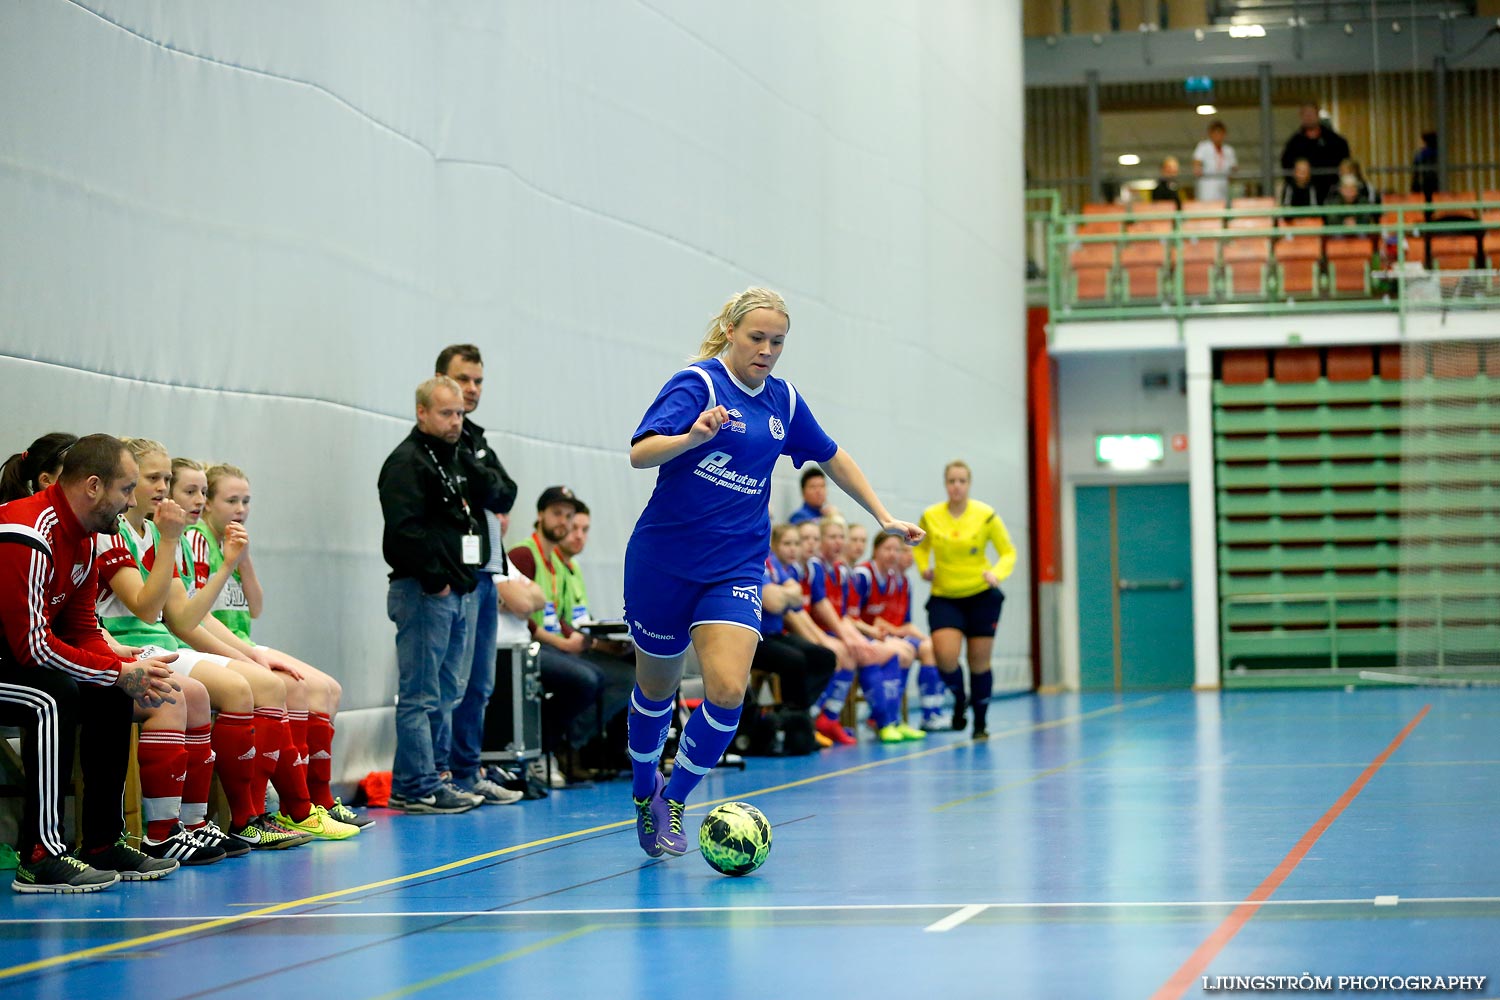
x: 433, y: 497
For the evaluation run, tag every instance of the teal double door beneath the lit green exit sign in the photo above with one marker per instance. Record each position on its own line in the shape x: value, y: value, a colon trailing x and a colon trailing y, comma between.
x: 1135, y: 587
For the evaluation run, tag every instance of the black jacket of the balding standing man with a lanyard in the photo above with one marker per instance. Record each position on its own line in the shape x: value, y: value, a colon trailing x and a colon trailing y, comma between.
x: 425, y: 518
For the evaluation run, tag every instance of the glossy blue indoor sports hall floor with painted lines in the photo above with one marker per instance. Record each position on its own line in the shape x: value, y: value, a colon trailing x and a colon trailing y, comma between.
x: 1096, y: 846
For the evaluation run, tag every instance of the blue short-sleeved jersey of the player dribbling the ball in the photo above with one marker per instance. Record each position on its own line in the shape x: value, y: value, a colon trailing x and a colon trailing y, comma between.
x: 709, y: 518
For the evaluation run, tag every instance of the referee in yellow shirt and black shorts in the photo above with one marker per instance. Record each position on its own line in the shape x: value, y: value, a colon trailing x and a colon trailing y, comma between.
x: 967, y: 590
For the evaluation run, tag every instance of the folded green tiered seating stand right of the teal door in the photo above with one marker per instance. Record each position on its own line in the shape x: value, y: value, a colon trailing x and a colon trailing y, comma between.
x: 1358, y: 518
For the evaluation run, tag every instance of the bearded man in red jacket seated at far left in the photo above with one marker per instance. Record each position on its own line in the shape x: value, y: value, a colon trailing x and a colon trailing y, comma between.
x: 59, y: 677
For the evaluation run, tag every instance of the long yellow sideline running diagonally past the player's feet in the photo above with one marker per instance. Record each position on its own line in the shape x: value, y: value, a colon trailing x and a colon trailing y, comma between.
x: 292, y: 905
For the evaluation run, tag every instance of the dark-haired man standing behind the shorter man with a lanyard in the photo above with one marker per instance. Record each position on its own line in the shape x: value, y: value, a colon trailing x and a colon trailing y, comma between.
x: 470, y: 696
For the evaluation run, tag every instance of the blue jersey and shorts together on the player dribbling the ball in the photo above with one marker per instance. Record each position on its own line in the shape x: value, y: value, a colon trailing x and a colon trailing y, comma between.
x: 698, y: 549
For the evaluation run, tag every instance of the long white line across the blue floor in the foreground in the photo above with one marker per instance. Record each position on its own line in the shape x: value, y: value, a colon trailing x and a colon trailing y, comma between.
x: 827, y: 908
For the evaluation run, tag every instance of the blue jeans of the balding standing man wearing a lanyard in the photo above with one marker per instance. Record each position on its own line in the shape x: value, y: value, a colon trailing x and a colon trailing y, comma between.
x: 430, y: 644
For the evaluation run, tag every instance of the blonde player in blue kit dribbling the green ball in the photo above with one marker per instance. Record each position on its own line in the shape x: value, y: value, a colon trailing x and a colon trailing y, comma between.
x: 697, y: 557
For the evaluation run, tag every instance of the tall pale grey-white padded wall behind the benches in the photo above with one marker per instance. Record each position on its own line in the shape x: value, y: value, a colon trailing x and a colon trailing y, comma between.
x: 247, y: 230
